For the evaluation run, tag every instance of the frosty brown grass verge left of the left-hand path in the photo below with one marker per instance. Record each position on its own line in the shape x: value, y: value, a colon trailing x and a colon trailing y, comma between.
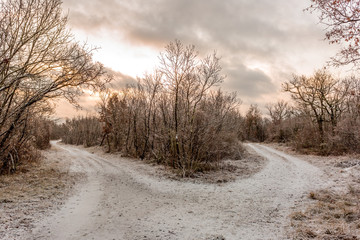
x: 33, y: 192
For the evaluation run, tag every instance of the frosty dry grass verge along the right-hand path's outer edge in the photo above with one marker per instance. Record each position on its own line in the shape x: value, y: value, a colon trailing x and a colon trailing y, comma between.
x: 334, y: 212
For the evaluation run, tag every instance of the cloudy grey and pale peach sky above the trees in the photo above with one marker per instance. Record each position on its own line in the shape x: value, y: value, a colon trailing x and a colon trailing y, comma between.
x: 261, y: 43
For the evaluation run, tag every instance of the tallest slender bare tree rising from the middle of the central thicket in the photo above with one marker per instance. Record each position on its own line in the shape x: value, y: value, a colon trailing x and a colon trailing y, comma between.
x: 187, y: 79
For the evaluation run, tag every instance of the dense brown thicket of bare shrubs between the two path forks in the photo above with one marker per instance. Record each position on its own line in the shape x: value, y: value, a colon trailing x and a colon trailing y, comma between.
x: 175, y: 115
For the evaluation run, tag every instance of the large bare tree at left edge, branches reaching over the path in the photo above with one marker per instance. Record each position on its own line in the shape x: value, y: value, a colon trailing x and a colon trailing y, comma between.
x: 39, y: 61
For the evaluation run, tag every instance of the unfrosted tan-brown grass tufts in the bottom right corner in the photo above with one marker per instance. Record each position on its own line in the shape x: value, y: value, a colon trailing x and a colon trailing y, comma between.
x: 330, y: 215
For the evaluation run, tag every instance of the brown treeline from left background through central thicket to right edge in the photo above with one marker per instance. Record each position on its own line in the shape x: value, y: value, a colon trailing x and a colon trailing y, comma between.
x: 179, y: 124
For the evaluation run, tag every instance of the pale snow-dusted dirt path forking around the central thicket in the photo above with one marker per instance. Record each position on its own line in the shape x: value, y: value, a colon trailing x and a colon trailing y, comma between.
x: 119, y: 202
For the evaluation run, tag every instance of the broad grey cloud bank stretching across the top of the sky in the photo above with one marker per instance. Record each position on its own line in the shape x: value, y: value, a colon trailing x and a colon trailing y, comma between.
x: 260, y: 28
